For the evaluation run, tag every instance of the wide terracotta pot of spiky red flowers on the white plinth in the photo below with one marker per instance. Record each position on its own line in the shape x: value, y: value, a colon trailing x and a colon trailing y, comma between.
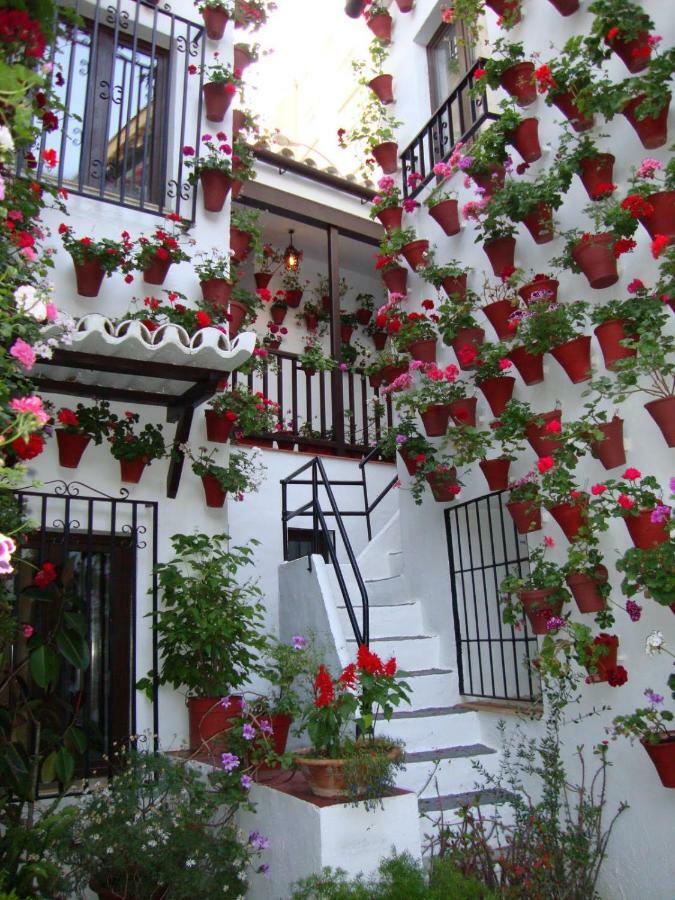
x: 337, y: 765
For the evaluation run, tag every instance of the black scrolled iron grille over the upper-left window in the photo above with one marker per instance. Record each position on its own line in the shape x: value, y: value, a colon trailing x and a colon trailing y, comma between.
x: 131, y: 105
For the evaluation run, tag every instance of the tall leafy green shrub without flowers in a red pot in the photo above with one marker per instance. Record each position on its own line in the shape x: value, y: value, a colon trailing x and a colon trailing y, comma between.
x: 201, y: 580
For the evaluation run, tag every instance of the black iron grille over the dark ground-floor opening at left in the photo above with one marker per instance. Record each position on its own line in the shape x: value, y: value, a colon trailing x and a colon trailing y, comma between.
x: 107, y: 548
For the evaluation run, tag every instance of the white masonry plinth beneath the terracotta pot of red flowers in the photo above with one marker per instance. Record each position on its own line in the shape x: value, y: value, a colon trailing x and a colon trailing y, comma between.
x: 304, y: 837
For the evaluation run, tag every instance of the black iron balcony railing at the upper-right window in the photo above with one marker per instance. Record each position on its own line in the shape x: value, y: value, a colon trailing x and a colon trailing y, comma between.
x: 457, y: 119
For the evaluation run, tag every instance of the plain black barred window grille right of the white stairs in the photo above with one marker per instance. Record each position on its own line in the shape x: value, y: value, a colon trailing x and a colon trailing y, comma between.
x: 483, y: 547
